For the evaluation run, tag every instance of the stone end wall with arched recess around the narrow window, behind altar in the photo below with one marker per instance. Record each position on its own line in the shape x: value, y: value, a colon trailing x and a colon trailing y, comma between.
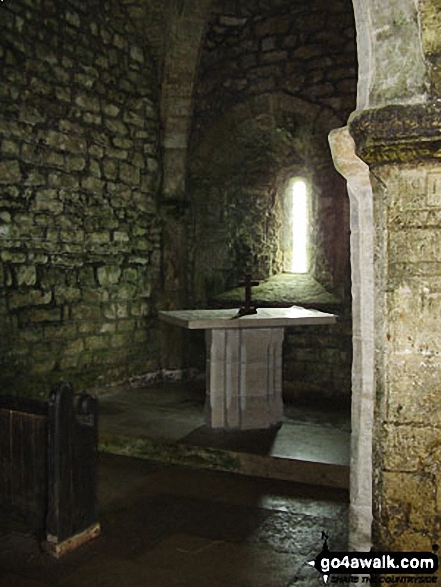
x: 245, y: 155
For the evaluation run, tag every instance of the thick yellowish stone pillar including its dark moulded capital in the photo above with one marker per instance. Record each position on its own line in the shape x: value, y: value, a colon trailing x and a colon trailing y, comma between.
x: 401, y: 145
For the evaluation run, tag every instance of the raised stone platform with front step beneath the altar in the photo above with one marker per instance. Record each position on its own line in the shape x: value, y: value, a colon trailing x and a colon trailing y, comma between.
x: 166, y: 423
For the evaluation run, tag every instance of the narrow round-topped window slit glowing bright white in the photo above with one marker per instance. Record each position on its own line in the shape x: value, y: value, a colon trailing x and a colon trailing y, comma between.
x: 299, y: 227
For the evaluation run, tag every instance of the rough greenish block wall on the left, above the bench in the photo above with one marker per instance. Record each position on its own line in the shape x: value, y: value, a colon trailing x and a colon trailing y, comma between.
x: 79, y: 175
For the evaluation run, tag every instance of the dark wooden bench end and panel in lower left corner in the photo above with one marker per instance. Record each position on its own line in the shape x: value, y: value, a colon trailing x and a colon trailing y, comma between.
x: 48, y: 468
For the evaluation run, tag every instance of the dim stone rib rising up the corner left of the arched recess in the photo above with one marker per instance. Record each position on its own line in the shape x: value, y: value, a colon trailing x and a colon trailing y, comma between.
x: 185, y: 35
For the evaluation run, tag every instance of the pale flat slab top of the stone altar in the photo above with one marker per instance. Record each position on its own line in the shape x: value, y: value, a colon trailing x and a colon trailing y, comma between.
x: 265, y: 318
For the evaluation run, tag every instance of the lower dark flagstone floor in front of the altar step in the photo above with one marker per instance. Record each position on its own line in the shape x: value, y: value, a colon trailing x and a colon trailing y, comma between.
x: 166, y: 526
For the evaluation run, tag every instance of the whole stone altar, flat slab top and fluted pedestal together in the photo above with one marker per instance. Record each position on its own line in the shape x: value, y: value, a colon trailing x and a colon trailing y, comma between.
x: 244, y: 361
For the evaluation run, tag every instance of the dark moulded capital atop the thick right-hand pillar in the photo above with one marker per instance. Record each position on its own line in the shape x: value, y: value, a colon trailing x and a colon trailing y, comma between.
x: 401, y: 133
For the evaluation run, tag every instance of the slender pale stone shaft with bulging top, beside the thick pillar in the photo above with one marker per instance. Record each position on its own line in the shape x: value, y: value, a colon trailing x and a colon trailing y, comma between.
x: 362, y: 270
